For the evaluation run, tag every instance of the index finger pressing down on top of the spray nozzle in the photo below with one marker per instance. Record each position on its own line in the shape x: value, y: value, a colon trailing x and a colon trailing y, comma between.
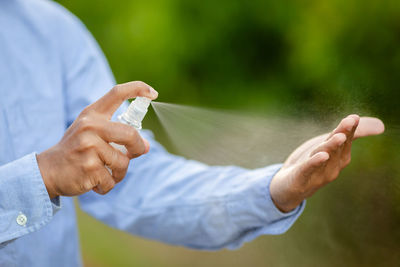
x: 110, y: 102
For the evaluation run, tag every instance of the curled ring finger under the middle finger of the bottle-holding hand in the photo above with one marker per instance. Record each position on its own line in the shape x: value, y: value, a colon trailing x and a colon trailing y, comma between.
x: 114, y: 160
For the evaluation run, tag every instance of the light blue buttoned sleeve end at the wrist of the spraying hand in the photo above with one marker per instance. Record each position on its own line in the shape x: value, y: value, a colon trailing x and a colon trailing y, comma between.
x: 25, y: 205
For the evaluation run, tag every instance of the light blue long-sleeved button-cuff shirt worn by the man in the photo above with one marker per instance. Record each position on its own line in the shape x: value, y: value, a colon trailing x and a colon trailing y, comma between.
x: 50, y: 69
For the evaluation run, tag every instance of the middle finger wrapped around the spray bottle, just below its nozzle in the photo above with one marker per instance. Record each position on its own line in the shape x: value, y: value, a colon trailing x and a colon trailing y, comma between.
x: 122, y: 134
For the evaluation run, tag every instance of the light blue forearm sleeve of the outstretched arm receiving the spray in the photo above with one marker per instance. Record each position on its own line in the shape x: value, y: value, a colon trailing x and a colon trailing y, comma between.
x: 183, y: 202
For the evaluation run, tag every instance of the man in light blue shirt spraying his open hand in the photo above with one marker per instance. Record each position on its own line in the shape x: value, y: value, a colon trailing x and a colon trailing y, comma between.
x: 53, y: 77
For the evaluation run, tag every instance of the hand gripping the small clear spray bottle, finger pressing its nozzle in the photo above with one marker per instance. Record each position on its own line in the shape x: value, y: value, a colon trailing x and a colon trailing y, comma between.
x: 77, y: 164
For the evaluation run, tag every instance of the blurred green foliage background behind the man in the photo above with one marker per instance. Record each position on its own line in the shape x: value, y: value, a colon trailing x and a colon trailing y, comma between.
x: 310, y: 59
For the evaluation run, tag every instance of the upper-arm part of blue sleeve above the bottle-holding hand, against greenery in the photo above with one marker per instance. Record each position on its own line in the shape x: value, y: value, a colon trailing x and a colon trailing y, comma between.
x: 87, y: 75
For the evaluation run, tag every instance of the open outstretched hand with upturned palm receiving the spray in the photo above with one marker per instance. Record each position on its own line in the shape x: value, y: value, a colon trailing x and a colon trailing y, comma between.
x: 319, y: 161
